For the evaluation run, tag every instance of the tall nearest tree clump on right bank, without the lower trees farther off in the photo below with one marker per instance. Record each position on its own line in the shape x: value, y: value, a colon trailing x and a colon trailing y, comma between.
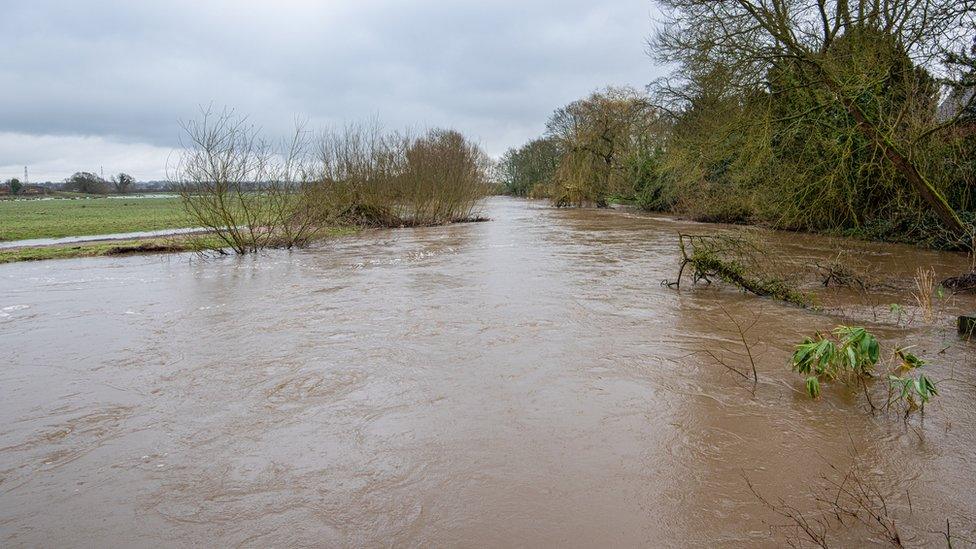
x: 818, y: 115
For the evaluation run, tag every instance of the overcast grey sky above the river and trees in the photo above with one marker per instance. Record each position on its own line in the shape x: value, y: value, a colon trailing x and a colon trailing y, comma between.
x: 91, y: 85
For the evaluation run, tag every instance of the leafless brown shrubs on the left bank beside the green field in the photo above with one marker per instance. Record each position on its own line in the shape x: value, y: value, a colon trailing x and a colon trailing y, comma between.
x: 252, y: 193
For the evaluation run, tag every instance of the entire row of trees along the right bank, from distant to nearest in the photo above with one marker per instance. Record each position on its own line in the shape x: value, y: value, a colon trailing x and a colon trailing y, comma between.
x: 853, y: 116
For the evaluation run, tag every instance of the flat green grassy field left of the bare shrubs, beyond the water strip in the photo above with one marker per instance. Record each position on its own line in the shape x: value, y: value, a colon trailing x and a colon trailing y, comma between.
x: 23, y: 219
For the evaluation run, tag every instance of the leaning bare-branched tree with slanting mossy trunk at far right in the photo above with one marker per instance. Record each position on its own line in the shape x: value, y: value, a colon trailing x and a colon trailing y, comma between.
x: 750, y: 39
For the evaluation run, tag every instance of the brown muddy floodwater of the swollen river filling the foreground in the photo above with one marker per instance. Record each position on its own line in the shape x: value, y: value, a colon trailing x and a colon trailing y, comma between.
x: 521, y: 382
